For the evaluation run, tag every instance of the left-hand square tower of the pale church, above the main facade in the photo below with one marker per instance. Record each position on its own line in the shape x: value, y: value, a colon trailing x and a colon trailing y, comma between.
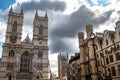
x: 14, y: 27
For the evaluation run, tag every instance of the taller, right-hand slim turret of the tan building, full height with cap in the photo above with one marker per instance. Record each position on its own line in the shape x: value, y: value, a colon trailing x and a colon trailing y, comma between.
x: 92, y: 54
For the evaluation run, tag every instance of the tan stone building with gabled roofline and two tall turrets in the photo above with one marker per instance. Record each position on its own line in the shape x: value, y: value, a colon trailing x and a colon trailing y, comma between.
x: 100, y: 54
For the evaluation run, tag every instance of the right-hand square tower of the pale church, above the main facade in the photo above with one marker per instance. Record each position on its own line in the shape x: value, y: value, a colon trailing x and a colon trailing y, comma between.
x: 40, y: 29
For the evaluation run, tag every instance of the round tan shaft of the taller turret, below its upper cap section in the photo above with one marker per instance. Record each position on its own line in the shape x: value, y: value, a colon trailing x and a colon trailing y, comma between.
x: 92, y: 59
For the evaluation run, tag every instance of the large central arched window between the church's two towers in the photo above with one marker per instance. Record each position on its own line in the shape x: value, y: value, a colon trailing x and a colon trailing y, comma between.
x: 25, y: 62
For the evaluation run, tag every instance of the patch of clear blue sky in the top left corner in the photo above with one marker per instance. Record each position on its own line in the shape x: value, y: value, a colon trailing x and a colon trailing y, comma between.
x: 4, y: 4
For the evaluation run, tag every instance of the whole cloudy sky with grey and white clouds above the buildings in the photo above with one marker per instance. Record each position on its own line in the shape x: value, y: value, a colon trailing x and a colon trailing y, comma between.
x: 66, y: 19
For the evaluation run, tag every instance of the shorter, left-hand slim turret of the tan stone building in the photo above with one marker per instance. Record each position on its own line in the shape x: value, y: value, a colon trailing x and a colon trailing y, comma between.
x: 82, y: 55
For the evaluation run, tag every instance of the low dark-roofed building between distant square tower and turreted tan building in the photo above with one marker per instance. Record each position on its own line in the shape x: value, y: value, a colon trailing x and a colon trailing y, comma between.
x: 73, y: 69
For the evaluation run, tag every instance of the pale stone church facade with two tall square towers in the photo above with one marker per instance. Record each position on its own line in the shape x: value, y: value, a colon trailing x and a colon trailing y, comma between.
x: 27, y: 59
